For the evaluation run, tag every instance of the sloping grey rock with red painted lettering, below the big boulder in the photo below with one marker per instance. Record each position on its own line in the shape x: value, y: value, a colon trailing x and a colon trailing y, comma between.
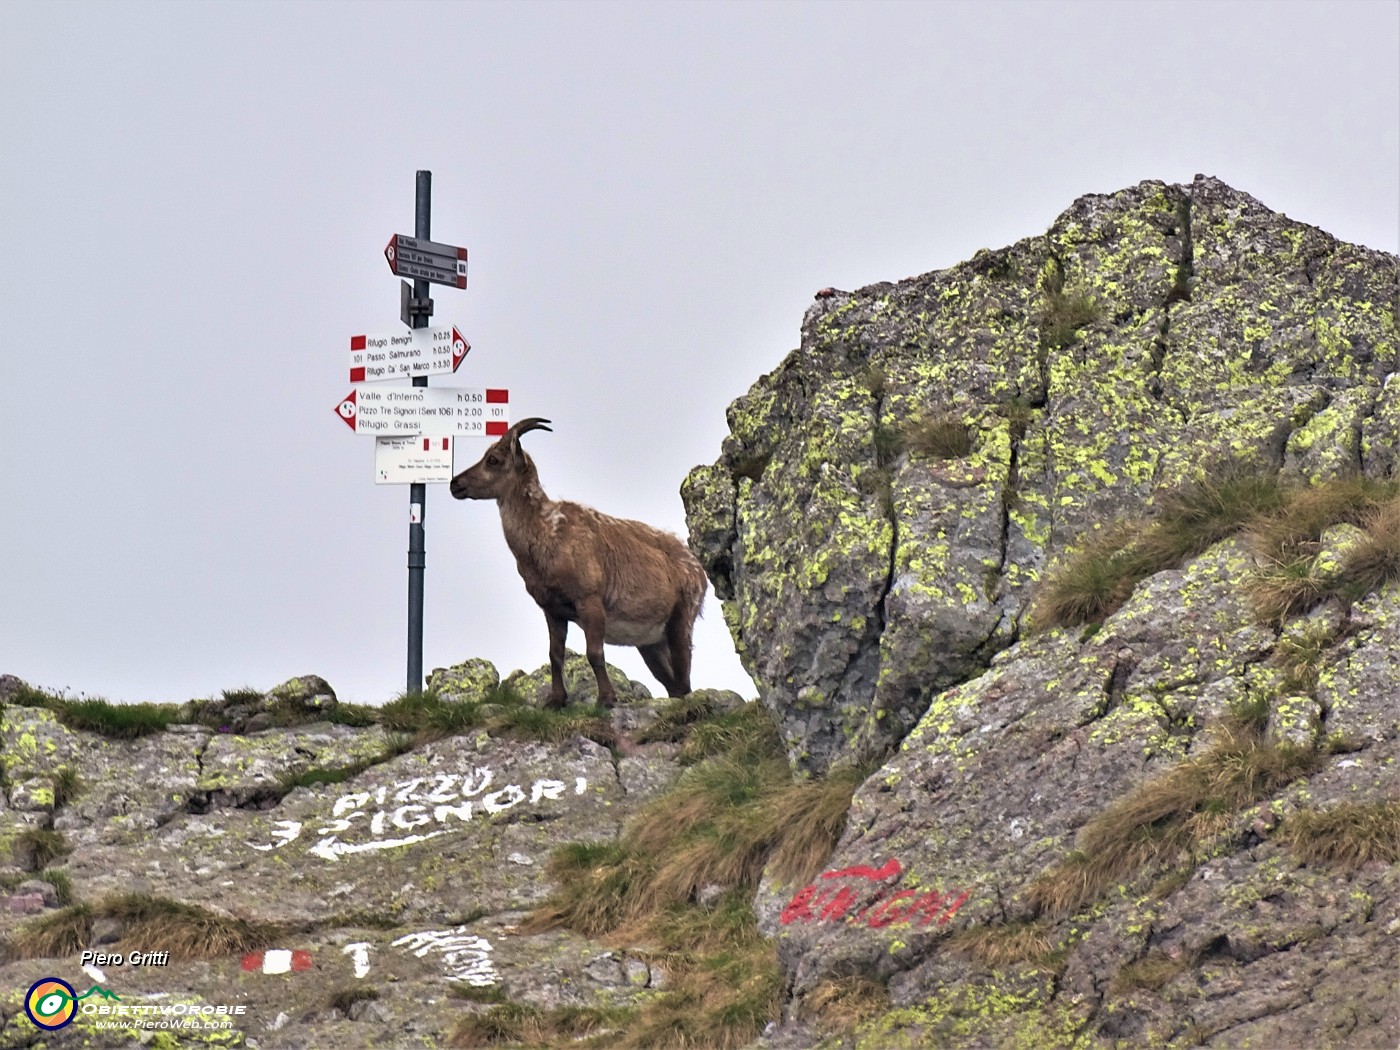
x: 1240, y: 937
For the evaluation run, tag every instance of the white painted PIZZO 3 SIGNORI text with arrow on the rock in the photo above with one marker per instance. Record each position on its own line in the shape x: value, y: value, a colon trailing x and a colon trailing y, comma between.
x: 394, y: 814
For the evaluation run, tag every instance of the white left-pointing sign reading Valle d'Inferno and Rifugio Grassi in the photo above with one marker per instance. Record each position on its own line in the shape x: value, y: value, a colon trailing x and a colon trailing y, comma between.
x: 426, y: 411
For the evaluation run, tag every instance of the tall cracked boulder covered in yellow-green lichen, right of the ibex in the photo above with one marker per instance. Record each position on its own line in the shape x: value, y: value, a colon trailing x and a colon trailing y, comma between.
x: 890, y: 495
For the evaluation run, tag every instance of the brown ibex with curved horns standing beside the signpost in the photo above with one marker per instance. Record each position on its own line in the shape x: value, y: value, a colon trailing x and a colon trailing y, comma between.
x: 622, y: 582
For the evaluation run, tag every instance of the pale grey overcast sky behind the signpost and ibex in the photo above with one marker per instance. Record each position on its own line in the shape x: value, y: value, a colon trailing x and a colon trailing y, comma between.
x: 195, y: 201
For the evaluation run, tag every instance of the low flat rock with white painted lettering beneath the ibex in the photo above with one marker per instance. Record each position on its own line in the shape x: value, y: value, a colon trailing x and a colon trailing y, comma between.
x: 386, y: 876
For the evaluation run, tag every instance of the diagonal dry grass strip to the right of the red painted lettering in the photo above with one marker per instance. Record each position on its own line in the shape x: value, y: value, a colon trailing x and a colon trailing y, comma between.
x: 1164, y: 821
